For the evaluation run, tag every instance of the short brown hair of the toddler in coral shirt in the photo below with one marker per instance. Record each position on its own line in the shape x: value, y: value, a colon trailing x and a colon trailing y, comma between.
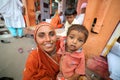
x: 79, y: 28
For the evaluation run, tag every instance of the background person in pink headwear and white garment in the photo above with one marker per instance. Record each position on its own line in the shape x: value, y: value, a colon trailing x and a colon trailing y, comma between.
x: 81, y: 16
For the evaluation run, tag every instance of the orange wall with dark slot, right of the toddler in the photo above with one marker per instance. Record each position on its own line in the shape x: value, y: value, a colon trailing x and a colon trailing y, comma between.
x: 110, y: 17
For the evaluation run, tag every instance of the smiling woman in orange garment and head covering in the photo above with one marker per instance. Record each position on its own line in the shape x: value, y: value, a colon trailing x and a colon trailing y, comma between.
x: 42, y: 63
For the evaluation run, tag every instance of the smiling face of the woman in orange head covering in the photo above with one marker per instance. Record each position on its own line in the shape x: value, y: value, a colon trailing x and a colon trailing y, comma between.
x: 46, y: 38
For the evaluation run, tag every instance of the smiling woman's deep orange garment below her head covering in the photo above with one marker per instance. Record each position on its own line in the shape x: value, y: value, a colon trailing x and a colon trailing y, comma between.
x: 40, y: 66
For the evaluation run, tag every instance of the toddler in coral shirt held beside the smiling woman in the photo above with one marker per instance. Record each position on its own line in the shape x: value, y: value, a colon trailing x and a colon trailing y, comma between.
x: 72, y: 63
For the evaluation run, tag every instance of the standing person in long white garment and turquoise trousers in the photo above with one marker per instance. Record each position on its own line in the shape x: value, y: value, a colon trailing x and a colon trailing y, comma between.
x: 11, y: 11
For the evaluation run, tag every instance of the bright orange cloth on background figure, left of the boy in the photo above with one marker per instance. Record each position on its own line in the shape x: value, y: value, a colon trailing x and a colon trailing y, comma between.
x: 56, y: 21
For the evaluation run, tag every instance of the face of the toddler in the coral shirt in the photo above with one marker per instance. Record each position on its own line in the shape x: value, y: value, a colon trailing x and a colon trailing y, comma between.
x: 75, y: 40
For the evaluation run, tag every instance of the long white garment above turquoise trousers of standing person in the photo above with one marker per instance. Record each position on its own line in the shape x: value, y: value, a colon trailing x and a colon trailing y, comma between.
x: 12, y: 13
